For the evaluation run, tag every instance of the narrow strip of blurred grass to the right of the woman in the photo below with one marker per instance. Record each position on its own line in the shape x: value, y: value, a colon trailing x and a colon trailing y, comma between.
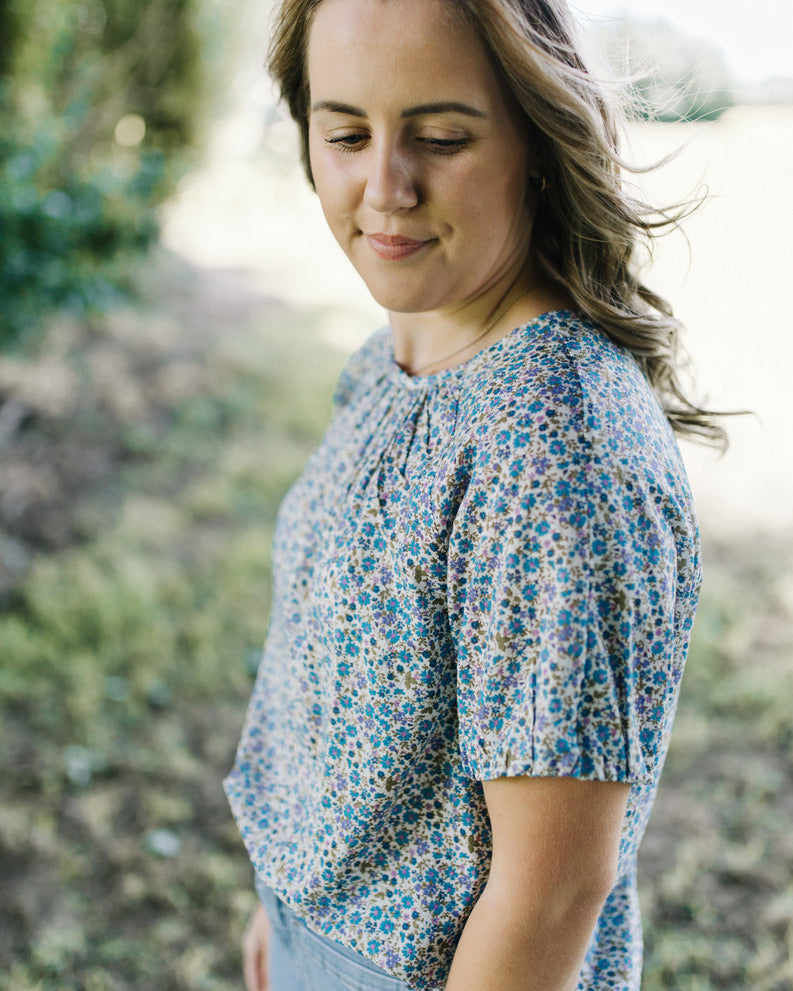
x: 717, y: 877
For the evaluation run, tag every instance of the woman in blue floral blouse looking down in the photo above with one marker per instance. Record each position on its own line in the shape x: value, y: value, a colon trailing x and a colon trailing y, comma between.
x: 486, y: 577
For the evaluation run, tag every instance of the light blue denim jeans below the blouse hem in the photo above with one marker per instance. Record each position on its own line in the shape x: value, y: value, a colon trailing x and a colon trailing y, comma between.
x: 300, y: 960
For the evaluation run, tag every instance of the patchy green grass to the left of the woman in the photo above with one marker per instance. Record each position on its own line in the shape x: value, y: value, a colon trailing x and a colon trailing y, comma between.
x: 128, y: 659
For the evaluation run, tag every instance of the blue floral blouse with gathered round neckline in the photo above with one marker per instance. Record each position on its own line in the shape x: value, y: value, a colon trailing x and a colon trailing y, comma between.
x: 487, y: 572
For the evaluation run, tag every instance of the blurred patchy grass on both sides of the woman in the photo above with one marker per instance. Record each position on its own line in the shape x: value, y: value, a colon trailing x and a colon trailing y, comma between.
x: 130, y: 633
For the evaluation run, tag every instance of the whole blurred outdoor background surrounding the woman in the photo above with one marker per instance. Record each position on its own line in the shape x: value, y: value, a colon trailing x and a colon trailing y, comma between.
x: 172, y: 318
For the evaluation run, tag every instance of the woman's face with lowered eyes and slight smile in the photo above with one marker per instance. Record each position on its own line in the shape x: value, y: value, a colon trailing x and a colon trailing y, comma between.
x: 419, y: 155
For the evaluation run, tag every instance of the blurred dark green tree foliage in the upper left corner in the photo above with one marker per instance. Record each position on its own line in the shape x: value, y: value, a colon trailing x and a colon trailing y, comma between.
x: 99, y: 102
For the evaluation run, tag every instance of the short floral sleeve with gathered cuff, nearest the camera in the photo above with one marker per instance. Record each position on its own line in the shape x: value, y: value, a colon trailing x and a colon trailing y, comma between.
x: 561, y: 588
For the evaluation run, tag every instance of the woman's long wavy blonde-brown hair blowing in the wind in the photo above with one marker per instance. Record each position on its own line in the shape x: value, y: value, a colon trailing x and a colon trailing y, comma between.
x: 588, y: 230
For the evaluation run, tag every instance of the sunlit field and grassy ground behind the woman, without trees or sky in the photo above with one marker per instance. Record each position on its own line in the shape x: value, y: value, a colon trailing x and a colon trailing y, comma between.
x: 157, y: 442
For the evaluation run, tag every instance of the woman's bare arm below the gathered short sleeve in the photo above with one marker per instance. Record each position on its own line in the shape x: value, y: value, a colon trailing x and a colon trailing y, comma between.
x: 555, y: 850
